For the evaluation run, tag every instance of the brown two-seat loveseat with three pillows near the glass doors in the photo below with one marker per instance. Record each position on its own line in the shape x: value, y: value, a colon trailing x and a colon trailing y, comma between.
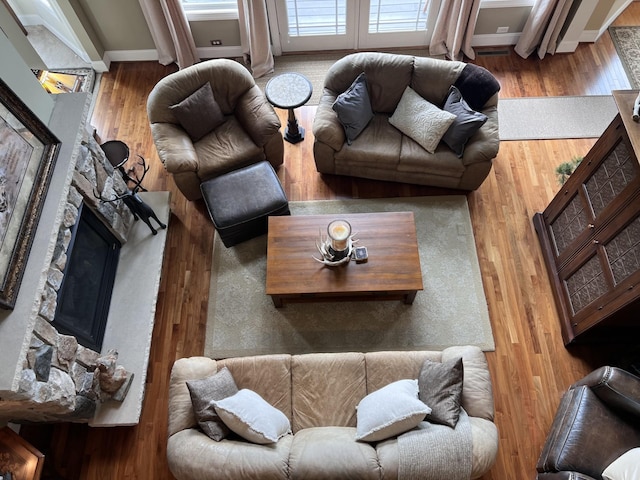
x: 381, y: 151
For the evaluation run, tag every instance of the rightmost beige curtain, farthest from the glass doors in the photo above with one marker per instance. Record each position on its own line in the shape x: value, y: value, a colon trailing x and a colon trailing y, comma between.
x: 543, y: 27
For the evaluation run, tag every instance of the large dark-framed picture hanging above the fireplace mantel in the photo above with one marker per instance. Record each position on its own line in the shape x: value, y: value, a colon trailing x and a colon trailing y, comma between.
x: 28, y: 152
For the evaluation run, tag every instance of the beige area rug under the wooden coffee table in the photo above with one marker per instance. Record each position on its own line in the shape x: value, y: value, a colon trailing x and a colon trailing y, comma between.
x: 451, y: 310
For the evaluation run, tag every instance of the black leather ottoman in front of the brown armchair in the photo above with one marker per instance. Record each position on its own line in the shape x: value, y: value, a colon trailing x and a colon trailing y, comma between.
x: 240, y: 201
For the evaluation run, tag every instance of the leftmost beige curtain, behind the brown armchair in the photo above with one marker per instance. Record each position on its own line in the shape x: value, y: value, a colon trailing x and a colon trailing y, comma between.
x: 170, y: 32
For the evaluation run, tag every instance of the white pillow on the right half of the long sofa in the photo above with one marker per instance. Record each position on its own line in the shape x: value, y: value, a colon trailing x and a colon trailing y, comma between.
x: 389, y: 411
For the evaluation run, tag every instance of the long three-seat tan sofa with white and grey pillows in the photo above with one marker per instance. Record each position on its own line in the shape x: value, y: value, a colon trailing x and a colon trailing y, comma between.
x: 318, y: 393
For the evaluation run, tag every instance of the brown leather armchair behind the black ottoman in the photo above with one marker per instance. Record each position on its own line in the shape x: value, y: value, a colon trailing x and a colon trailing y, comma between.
x: 248, y: 130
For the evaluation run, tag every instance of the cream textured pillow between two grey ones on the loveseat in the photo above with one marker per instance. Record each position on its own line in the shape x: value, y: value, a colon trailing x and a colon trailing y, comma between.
x: 421, y: 120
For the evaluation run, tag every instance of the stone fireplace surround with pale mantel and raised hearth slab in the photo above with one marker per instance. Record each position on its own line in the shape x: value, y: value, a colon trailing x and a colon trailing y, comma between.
x: 47, y: 376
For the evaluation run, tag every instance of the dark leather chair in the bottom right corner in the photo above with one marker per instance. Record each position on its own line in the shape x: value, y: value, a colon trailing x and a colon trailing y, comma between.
x: 597, y: 421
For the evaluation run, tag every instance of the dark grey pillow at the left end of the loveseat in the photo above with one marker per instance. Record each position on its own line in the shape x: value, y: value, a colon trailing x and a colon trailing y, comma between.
x: 354, y: 108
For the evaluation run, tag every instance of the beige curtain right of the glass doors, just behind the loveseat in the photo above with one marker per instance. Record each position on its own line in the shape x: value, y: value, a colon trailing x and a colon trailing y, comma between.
x: 454, y: 27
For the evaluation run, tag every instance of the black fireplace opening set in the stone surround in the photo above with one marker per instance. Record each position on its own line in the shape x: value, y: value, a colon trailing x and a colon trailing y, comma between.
x: 85, y: 292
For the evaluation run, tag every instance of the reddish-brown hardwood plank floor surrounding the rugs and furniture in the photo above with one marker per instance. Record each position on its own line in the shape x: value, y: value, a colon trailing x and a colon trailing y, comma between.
x: 530, y: 367
